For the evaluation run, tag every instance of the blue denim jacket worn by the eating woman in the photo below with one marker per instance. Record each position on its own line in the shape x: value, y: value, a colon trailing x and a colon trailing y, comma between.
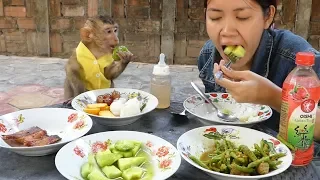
x: 274, y: 59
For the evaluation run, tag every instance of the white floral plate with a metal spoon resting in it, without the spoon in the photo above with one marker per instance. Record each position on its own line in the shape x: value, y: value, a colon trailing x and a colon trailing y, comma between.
x: 205, y: 112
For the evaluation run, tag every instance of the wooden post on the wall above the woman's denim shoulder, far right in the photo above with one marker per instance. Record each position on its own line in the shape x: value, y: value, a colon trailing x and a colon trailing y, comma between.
x: 303, y: 18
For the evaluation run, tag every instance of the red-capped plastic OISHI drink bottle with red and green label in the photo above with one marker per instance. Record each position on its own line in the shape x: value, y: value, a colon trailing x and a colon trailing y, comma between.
x: 300, y: 97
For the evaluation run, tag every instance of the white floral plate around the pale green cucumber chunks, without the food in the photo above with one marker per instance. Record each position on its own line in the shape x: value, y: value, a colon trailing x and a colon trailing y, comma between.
x: 165, y: 157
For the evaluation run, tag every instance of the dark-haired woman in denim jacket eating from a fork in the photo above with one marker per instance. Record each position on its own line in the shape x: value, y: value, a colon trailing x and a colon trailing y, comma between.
x: 270, y: 54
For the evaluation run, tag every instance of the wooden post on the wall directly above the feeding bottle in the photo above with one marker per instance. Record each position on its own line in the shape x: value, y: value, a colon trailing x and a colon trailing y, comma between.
x: 168, y: 27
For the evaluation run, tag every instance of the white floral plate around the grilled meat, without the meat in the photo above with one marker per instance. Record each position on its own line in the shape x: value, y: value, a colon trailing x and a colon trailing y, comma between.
x: 66, y: 123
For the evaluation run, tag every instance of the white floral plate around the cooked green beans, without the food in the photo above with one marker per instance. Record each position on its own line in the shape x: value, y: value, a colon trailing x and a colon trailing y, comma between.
x: 195, y: 143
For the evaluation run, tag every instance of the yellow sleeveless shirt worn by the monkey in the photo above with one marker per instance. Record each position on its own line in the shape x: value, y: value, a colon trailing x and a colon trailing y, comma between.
x: 92, y: 73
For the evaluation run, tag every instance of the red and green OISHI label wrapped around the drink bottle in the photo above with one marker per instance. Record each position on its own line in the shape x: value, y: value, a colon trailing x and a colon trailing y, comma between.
x: 297, y: 120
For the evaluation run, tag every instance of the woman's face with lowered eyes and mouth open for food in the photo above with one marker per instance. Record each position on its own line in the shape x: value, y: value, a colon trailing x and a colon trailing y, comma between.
x: 236, y: 22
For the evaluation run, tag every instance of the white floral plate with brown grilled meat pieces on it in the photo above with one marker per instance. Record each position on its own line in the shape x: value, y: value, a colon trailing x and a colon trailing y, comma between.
x: 42, y: 131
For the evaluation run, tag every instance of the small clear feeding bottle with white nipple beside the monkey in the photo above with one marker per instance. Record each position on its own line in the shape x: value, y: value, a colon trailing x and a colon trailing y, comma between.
x: 160, y: 85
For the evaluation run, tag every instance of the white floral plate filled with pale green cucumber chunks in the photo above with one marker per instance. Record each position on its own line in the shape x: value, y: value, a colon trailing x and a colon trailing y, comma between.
x: 119, y: 155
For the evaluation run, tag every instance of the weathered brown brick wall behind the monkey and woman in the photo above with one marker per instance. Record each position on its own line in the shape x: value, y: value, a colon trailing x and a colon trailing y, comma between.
x: 51, y: 27
